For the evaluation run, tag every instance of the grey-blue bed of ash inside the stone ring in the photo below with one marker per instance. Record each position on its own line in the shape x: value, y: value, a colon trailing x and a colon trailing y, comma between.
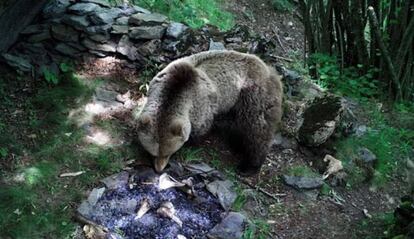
x: 116, y: 210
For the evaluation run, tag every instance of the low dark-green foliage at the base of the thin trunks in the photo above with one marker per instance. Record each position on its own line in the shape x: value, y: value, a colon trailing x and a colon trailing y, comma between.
x: 352, y: 81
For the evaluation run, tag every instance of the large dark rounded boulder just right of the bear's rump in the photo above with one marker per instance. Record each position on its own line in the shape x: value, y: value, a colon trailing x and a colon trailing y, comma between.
x: 320, y: 119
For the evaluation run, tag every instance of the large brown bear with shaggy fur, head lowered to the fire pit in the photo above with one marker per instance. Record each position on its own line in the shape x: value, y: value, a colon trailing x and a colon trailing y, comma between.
x: 191, y: 93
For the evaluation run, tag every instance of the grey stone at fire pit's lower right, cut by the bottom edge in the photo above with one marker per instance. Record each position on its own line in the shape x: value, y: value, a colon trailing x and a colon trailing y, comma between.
x: 231, y: 227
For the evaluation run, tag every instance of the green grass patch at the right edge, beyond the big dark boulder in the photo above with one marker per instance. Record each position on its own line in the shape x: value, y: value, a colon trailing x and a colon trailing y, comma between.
x: 388, y: 141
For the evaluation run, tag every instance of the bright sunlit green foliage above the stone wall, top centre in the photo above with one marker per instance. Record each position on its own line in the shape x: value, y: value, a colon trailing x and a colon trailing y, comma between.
x: 195, y: 13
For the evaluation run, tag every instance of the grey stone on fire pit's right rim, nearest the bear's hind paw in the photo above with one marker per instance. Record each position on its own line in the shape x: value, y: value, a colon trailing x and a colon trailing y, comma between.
x: 223, y: 191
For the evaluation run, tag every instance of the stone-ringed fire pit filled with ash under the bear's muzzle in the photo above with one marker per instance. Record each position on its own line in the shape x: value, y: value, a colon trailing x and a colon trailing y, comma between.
x: 184, y: 202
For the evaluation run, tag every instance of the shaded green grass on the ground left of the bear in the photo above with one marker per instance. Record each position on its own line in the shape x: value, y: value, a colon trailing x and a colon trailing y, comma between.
x: 34, y: 201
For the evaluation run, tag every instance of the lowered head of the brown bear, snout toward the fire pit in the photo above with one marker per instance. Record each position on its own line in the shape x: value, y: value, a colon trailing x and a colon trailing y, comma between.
x: 163, y: 139
